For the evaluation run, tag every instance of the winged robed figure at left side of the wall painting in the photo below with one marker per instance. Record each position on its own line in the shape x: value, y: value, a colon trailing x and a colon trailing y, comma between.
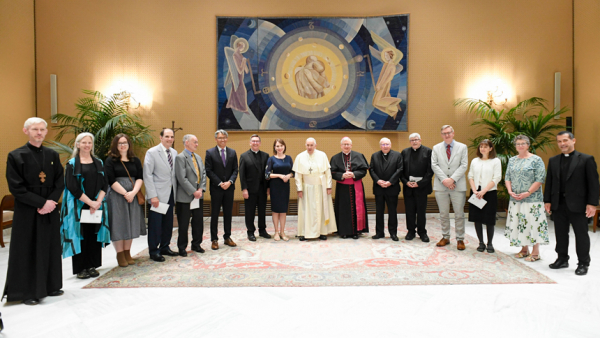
x: 238, y: 66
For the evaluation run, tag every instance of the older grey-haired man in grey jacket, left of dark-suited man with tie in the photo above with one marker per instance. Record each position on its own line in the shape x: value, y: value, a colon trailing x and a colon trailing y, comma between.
x: 191, y: 184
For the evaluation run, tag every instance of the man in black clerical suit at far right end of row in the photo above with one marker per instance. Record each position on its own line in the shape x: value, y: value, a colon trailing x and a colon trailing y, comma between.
x: 571, y: 195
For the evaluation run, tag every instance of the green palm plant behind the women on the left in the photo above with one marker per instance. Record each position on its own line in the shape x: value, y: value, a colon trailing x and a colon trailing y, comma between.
x: 105, y: 117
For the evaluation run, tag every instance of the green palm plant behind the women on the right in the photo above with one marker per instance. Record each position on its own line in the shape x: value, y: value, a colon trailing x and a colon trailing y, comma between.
x: 530, y: 117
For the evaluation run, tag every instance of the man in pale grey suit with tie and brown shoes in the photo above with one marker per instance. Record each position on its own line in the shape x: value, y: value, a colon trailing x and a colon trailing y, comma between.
x: 449, y: 161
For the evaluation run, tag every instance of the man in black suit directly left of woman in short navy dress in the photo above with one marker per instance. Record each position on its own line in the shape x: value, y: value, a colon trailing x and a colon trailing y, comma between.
x: 254, y: 187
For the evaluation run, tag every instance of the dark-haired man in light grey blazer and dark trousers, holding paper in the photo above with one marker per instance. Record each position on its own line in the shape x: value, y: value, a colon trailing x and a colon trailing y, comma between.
x: 161, y: 187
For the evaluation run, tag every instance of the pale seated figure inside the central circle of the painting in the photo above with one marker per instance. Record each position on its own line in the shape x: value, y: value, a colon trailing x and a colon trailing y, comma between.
x: 311, y: 80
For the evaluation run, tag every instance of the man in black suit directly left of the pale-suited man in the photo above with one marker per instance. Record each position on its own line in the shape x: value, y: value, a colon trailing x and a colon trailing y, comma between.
x: 416, y: 178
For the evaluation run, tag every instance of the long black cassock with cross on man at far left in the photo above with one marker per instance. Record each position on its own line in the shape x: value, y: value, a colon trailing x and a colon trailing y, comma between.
x: 34, y: 262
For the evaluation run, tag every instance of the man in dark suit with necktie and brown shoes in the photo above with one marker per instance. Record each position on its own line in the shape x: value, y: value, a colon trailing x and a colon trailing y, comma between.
x: 221, y: 169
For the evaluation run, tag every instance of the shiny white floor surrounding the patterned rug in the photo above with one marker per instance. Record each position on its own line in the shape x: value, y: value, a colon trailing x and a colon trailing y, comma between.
x: 570, y: 308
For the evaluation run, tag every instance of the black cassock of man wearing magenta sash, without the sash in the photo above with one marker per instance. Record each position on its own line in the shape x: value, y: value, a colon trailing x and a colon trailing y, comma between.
x: 345, y: 206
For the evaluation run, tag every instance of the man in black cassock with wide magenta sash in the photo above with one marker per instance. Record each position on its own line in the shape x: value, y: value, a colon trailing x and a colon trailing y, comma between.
x: 348, y: 168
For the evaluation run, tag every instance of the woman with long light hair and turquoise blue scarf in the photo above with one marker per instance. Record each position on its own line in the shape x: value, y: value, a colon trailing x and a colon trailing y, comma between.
x: 85, y: 188
